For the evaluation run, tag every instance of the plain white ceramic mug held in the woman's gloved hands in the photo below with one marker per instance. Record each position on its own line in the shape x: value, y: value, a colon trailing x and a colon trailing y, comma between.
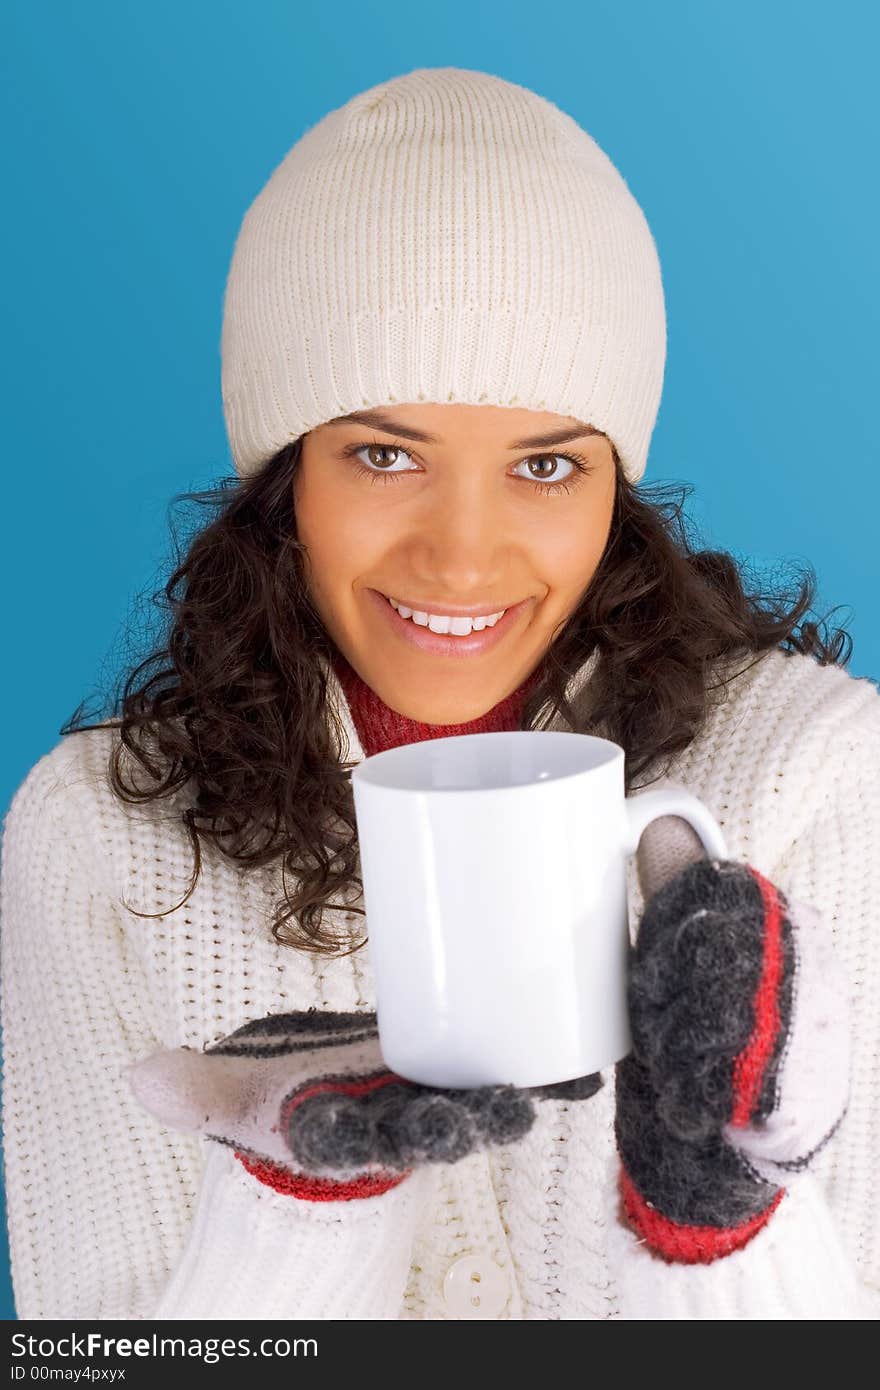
x: 496, y: 897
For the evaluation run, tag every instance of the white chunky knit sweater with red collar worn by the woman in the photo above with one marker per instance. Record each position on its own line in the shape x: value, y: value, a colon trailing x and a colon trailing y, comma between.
x: 106, y: 1206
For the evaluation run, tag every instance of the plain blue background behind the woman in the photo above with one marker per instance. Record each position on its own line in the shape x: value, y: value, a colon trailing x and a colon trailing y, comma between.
x: 138, y: 136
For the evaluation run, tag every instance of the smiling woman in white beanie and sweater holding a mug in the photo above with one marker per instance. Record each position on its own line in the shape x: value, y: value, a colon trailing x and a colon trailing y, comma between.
x: 443, y: 358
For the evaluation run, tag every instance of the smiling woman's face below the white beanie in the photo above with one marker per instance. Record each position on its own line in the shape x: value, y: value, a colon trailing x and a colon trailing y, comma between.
x: 441, y: 508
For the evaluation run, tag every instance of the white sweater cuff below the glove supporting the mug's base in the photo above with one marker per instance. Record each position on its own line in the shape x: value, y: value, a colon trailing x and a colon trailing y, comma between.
x: 255, y: 1253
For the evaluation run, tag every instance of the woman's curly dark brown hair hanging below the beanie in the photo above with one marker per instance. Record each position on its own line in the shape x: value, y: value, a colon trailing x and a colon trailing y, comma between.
x: 237, y: 700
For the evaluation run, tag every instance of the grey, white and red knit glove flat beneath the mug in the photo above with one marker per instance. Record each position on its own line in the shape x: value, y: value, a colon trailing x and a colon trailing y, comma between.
x: 309, y: 1107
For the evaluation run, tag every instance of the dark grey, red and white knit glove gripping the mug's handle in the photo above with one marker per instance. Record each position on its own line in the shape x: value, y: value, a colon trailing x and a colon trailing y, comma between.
x: 740, y: 1064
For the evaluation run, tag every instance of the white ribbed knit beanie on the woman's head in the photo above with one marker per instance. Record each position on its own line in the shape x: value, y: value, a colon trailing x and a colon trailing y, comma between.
x: 443, y: 237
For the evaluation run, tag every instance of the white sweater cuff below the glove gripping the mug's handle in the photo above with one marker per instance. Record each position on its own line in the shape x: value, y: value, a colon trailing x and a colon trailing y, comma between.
x: 796, y: 1267
